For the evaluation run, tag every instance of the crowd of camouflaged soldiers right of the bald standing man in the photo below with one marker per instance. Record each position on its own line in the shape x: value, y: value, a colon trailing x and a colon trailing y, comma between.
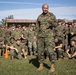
x: 66, y: 35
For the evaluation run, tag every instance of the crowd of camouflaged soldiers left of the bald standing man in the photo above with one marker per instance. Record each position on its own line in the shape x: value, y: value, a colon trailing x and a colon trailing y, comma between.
x: 19, y: 41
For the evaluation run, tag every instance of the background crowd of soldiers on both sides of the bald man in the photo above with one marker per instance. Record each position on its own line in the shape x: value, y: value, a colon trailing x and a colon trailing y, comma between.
x: 64, y: 38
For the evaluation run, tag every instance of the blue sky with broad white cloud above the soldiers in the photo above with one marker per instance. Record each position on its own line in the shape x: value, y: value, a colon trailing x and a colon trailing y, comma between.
x: 30, y: 9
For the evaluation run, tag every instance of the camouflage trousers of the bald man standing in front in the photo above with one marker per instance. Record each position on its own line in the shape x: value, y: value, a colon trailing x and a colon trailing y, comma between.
x: 45, y: 45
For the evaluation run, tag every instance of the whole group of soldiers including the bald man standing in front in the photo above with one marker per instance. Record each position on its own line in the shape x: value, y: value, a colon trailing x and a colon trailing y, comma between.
x: 55, y: 39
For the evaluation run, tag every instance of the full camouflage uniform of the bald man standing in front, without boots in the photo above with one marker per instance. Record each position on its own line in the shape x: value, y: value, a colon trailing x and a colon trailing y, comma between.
x: 45, y: 36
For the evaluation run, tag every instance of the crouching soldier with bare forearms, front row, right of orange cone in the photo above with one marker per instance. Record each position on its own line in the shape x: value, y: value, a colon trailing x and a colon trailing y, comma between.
x: 21, y: 50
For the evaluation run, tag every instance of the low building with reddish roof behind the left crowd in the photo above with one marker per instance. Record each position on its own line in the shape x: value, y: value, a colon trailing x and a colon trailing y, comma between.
x: 21, y: 22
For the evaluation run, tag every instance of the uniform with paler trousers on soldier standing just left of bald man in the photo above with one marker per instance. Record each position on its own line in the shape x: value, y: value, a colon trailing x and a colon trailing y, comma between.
x: 32, y: 43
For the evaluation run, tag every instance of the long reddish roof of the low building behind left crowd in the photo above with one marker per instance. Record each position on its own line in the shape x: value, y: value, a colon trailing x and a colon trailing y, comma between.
x: 20, y: 21
